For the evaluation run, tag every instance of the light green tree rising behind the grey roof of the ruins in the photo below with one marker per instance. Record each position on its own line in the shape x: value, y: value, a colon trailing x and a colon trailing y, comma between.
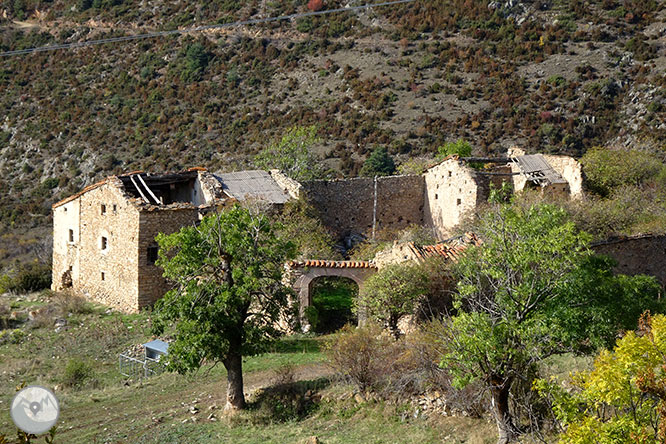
x: 293, y: 154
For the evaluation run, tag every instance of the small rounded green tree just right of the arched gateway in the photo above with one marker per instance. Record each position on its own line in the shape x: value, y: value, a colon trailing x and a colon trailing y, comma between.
x: 394, y: 291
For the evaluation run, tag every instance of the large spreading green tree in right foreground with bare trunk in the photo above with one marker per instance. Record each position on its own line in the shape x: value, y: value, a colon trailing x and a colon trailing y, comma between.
x: 531, y: 290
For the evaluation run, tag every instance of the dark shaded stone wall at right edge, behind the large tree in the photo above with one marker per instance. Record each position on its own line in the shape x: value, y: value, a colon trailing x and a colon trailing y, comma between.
x: 637, y: 255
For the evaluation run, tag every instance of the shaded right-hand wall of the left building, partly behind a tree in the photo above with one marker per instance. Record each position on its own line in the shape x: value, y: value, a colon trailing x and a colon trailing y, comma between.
x: 151, y: 284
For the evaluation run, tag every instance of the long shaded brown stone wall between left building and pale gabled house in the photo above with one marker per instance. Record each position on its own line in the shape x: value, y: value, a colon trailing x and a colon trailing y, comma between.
x: 346, y: 205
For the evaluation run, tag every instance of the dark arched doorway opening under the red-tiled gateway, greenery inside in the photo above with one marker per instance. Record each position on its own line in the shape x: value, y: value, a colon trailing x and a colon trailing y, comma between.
x: 332, y: 298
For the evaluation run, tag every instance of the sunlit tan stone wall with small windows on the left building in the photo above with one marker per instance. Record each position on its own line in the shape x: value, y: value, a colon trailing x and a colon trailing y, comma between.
x: 108, y: 275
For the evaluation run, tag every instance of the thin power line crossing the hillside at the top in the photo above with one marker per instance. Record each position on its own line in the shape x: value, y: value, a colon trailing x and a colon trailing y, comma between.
x: 198, y: 29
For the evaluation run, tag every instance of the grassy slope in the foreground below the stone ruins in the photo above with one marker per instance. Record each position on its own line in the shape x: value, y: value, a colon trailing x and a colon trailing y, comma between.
x: 156, y: 410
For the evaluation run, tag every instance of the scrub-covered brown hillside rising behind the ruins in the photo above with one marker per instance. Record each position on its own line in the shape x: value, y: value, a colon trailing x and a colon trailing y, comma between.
x: 549, y: 76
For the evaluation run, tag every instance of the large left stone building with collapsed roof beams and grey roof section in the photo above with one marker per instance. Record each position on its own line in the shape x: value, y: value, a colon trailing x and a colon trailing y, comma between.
x: 104, y: 236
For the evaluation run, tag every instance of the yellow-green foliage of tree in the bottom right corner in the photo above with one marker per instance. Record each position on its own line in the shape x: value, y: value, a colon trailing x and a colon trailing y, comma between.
x: 623, y: 399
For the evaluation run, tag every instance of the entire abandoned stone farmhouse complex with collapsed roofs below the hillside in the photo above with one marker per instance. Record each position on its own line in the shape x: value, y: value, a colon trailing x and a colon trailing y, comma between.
x: 104, y: 236
